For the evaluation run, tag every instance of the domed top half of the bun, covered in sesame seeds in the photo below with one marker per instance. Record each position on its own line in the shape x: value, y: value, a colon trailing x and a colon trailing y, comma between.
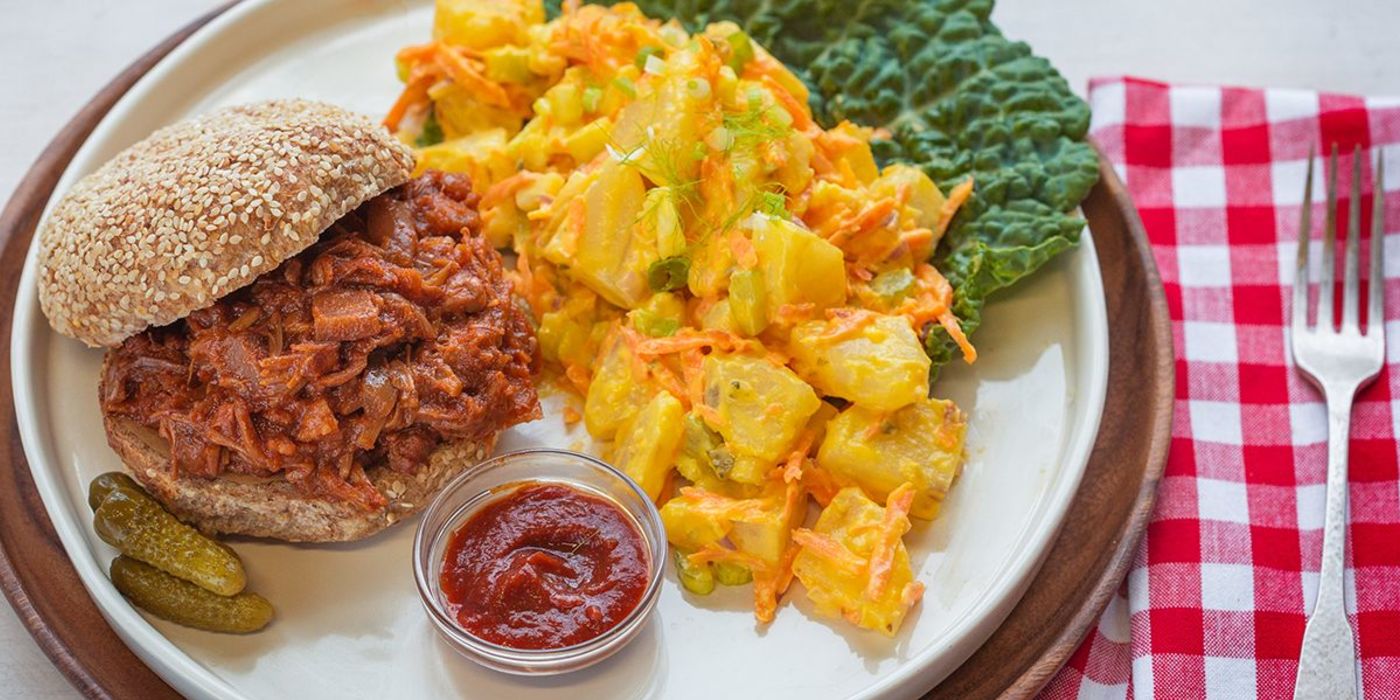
x: 204, y: 208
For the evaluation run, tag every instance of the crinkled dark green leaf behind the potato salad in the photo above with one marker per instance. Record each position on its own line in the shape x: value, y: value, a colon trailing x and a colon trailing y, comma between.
x: 960, y: 100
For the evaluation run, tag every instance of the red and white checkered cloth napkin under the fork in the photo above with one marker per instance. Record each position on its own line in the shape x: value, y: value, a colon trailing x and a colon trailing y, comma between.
x: 1219, y: 596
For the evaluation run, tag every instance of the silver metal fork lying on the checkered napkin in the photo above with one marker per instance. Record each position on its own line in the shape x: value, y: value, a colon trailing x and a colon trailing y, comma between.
x: 1340, y: 362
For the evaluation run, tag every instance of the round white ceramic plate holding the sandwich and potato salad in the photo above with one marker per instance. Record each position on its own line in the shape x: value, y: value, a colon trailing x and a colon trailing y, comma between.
x: 349, y: 619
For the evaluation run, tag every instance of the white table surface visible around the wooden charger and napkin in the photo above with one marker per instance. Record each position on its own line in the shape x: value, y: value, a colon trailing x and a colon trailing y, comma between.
x: 57, y: 54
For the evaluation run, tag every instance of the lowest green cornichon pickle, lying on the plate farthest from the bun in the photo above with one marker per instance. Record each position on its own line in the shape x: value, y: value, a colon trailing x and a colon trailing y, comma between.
x: 187, y: 604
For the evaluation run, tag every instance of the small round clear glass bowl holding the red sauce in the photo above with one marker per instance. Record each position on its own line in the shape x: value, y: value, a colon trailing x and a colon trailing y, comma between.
x: 496, y: 478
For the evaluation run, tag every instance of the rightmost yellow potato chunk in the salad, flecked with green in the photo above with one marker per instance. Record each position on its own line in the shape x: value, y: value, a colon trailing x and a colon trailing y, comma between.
x: 920, y: 444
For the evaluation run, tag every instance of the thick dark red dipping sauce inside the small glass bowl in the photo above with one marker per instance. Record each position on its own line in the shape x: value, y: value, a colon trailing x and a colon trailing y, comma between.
x: 547, y: 566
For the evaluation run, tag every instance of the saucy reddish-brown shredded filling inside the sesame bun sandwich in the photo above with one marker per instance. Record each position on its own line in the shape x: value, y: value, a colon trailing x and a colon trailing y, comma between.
x: 395, y: 332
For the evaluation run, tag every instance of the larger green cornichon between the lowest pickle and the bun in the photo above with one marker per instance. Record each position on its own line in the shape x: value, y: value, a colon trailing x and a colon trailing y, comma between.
x: 135, y: 524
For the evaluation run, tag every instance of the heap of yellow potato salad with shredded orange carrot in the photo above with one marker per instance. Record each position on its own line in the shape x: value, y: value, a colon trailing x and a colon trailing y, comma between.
x: 737, y: 295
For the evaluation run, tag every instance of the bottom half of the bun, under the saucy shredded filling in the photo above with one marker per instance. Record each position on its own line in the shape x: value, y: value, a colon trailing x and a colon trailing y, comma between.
x: 274, y: 507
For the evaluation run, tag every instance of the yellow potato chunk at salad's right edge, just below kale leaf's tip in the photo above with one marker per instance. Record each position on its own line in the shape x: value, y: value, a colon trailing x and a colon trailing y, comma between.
x: 881, y: 366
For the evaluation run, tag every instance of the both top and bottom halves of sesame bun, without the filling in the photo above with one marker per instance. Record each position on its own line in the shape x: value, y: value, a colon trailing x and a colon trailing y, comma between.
x: 190, y: 215
